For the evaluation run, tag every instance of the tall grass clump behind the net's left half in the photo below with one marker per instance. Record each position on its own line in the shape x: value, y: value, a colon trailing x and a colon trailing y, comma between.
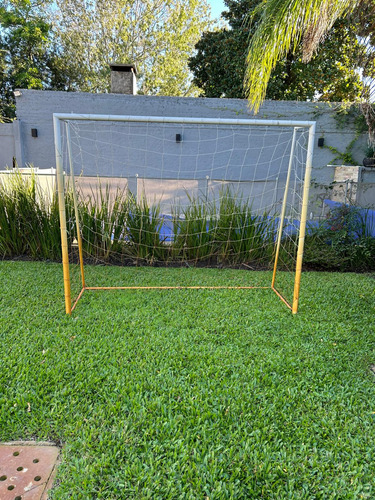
x: 118, y: 229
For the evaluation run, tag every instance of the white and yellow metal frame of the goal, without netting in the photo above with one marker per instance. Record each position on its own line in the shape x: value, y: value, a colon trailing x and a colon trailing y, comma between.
x: 60, y: 118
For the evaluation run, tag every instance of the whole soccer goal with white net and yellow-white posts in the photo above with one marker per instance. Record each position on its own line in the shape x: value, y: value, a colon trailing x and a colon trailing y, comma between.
x: 174, y: 191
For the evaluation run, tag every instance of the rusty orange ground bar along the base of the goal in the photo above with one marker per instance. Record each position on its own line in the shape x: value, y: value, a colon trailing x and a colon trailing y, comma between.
x: 180, y: 288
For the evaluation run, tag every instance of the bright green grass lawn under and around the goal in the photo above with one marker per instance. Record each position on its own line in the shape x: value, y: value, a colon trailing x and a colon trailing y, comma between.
x: 192, y: 394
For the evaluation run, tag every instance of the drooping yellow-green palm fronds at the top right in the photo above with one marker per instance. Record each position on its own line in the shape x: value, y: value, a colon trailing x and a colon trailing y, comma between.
x: 286, y: 24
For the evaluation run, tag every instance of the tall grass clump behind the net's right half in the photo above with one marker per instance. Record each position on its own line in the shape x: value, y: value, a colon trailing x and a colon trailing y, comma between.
x: 226, y: 232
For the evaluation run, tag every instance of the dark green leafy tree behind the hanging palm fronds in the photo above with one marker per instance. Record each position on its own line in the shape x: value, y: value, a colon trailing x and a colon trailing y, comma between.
x: 219, y: 64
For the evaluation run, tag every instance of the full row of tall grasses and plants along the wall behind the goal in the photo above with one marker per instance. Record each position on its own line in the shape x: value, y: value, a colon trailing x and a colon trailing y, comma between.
x: 117, y: 228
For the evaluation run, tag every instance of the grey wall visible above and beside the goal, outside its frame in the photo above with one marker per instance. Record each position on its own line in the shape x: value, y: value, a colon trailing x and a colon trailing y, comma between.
x: 35, y: 109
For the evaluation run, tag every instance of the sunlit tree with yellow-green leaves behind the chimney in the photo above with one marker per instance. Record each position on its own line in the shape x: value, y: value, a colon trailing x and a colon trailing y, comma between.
x: 157, y: 35
